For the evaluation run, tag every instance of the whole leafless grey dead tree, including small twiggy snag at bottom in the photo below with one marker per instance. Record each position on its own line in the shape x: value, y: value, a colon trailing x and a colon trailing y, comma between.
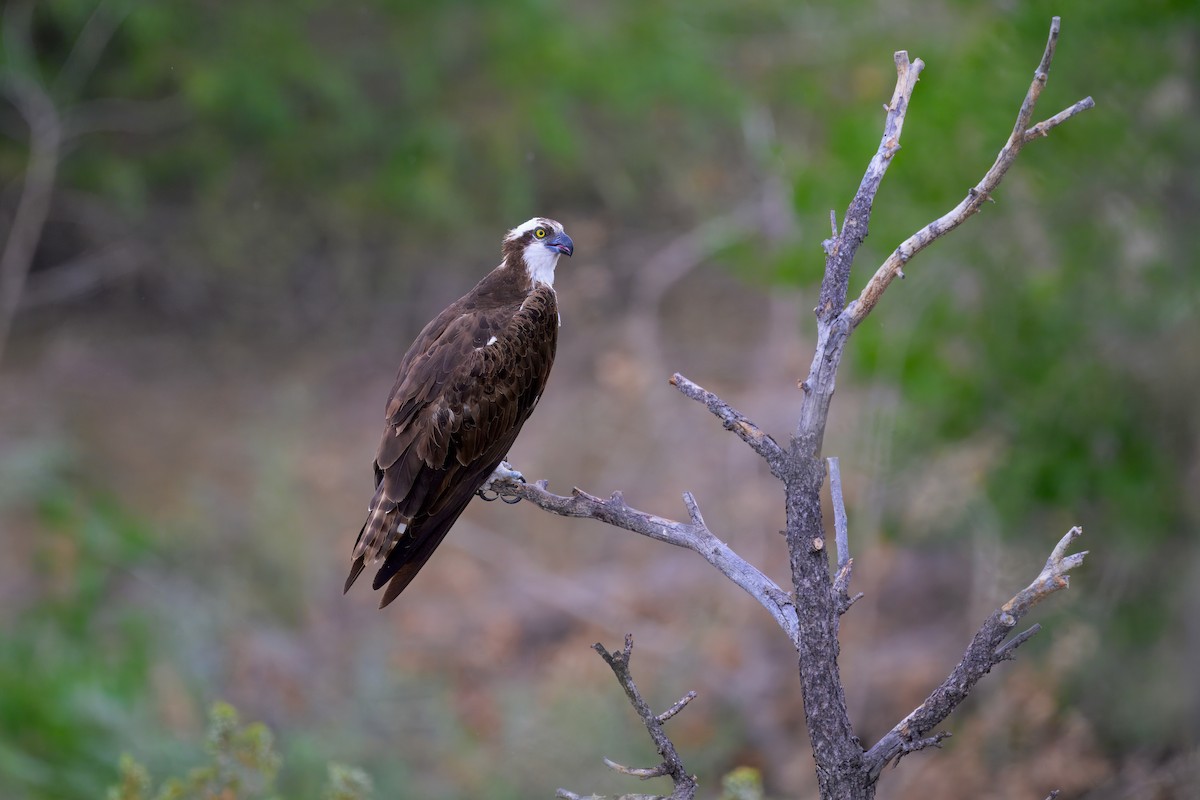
x: 811, y: 615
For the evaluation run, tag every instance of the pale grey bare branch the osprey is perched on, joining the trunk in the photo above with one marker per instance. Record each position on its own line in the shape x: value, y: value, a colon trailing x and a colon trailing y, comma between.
x: 694, y: 537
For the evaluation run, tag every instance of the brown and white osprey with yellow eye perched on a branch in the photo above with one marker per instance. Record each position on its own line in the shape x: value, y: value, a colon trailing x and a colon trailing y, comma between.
x: 465, y: 388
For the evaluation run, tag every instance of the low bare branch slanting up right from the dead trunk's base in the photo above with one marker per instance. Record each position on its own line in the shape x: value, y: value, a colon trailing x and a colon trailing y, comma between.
x: 985, y: 653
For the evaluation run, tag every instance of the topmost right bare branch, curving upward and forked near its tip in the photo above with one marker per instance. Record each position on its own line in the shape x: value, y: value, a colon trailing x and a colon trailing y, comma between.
x: 977, y: 196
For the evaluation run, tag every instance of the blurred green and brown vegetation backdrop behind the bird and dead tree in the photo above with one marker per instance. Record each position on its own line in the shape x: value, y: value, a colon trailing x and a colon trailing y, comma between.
x: 257, y: 204
